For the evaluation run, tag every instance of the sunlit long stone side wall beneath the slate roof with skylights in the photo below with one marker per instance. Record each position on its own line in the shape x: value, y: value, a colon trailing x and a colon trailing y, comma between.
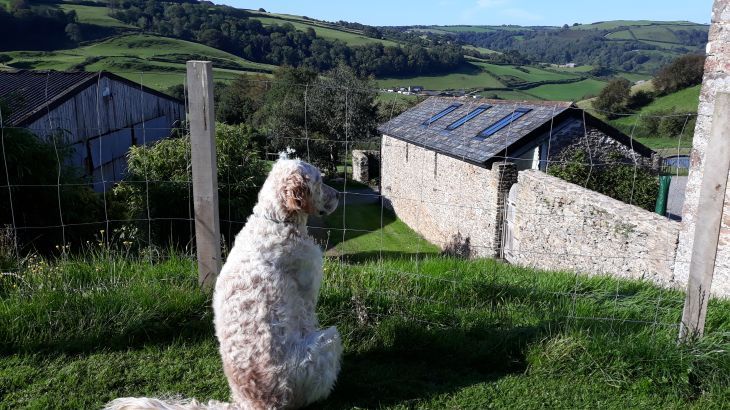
x: 449, y: 202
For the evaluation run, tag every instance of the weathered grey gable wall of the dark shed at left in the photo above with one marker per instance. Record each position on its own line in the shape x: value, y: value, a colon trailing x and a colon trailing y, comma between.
x: 104, y: 127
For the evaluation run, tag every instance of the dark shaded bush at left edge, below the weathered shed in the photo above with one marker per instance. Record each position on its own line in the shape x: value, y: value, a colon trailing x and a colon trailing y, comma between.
x: 46, y: 195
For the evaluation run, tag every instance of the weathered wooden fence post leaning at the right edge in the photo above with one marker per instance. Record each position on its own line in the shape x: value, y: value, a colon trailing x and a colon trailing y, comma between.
x: 709, y: 218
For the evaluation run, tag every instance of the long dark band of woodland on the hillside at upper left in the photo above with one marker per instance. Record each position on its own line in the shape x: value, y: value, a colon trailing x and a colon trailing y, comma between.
x: 234, y: 30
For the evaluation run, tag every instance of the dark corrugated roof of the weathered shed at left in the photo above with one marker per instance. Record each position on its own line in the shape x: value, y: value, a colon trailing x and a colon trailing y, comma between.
x: 30, y: 94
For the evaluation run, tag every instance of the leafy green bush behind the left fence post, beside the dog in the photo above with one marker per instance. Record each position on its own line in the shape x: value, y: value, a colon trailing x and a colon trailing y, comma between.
x: 158, y: 184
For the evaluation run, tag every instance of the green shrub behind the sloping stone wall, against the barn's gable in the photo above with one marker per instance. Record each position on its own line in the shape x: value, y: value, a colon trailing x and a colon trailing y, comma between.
x: 635, y: 185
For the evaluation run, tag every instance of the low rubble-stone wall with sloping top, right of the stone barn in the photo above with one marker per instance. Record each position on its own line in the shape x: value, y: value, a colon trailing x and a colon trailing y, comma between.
x: 561, y: 226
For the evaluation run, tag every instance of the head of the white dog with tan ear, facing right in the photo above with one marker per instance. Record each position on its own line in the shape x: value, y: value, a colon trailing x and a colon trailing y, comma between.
x: 300, y: 190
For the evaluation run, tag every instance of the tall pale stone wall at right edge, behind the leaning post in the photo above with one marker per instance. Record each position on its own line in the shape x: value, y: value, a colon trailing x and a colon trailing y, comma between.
x: 716, y: 79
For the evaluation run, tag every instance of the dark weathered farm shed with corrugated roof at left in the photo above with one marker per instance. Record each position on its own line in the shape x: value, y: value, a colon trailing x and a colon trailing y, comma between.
x: 98, y: 115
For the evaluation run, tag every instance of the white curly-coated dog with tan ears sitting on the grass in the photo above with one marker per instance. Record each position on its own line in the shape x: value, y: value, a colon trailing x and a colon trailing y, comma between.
x: 273, y: 353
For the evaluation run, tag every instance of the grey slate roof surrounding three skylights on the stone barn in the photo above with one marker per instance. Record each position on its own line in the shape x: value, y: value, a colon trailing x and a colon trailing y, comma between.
x: 461, y: 142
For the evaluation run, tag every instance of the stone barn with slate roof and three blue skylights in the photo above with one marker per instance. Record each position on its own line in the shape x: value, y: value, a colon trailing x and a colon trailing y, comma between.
x: 448, y: 163
